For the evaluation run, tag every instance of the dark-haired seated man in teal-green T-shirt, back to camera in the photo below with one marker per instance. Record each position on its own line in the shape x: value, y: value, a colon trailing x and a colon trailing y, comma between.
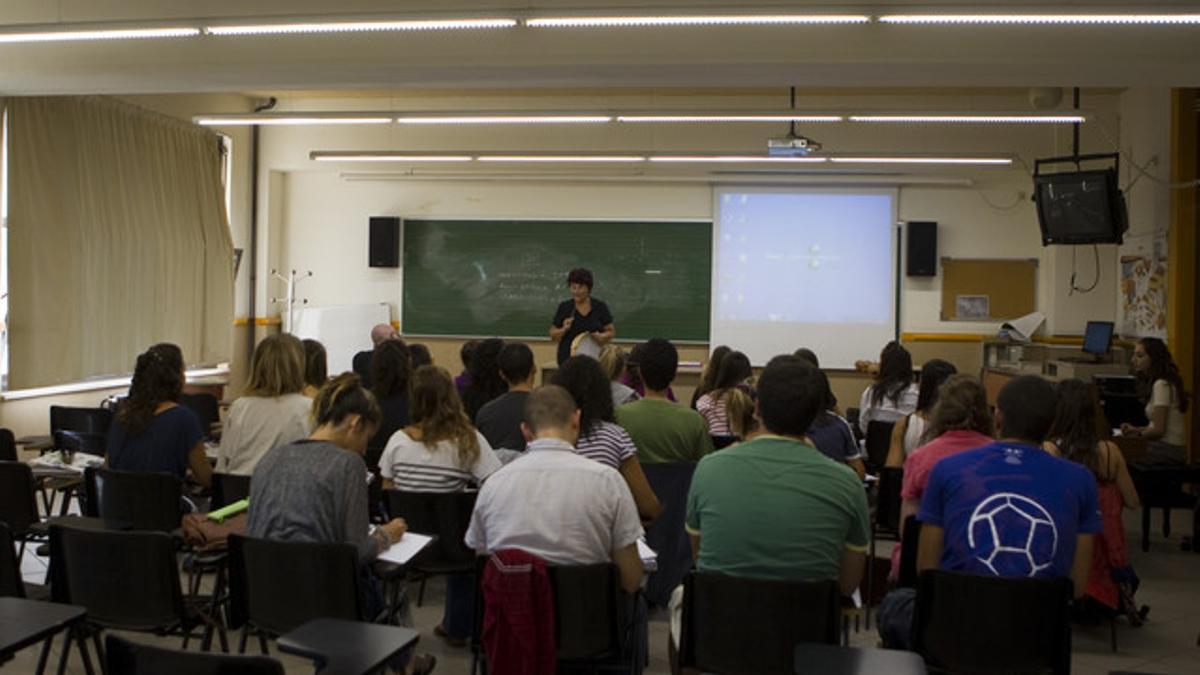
x: 740, y: 497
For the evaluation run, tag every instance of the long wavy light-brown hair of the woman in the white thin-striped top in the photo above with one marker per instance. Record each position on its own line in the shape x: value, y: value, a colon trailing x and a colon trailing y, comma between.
x: 436, y: 411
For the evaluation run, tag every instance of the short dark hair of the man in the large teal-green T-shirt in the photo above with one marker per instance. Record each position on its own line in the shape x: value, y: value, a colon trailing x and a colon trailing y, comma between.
x: 791, y: 393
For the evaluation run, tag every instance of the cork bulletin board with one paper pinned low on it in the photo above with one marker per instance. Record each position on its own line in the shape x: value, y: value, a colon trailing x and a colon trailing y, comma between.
x: 989, y: 290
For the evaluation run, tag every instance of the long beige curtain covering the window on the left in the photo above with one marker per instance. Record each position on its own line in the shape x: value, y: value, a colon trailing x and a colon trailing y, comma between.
x: 118, y: 240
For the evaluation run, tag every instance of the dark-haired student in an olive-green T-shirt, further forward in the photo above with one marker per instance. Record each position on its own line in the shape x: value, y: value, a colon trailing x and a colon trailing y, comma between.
x: 663, y: 431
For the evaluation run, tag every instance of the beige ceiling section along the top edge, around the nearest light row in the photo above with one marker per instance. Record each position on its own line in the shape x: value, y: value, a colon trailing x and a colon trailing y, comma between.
x: 809, y: 57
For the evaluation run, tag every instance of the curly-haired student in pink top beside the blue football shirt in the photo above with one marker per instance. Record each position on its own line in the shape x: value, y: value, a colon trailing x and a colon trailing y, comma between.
x: 962, y: 421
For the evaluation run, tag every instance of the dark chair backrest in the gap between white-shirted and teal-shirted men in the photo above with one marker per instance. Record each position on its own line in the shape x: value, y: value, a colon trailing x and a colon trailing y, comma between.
x: 668, y: 536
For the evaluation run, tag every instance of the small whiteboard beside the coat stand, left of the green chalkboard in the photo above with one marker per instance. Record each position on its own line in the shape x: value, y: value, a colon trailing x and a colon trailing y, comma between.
x: 344, y: 331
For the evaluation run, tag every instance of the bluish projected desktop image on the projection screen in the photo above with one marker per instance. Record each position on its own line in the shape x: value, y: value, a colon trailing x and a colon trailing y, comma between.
x: 805, y: 258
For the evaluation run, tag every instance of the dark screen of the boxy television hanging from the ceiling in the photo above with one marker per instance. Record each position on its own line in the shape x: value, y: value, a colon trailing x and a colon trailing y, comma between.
x: 1081, y: 208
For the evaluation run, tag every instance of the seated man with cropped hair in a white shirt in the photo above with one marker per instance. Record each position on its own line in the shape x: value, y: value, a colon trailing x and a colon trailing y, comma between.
x: 525, y: 505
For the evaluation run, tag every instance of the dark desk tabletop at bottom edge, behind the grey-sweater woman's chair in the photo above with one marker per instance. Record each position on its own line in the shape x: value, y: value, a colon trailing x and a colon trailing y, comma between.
x: 347, y: 648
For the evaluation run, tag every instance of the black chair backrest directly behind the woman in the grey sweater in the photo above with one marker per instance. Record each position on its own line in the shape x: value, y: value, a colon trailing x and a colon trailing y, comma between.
x: 278, y: 587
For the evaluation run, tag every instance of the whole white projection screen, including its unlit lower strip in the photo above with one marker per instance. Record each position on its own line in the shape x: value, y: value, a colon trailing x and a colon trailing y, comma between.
x: 805, y: 268
